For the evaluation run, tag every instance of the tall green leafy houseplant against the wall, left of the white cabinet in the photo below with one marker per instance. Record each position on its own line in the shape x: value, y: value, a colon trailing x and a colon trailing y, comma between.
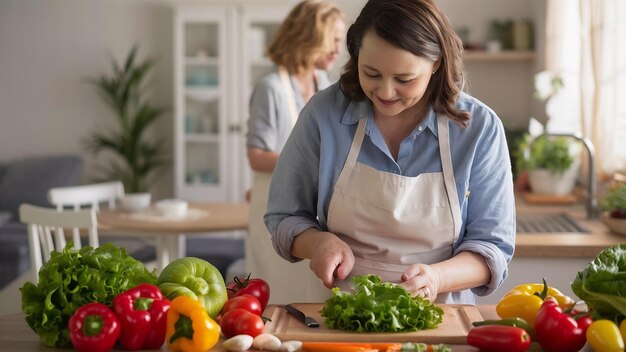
x: 136, y: 158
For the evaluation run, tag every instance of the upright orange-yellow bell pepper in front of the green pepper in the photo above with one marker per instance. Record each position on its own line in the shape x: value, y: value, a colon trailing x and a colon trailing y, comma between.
x: 189, y: 327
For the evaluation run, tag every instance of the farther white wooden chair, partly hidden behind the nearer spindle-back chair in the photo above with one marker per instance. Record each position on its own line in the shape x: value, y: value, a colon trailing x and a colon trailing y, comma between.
x: 91, y: 196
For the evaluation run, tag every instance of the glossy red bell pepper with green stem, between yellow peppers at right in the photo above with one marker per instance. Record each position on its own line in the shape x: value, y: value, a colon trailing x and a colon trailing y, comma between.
x: 557, y: 330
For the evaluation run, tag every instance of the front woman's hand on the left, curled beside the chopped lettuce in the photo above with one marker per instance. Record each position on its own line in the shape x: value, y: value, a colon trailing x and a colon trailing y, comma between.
x: 329, y: 255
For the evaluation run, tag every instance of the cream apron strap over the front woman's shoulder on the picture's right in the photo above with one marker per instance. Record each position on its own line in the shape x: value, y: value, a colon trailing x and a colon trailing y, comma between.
x: 448, y: 174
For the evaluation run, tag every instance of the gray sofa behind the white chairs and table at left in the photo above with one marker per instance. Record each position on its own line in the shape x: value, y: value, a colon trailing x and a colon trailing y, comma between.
x: 28, y: 181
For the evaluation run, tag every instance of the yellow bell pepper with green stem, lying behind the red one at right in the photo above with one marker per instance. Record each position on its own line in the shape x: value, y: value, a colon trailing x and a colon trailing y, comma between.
x: 524, y: 301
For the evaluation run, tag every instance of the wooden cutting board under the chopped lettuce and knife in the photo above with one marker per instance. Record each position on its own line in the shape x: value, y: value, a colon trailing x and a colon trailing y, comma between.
x: 457, y: 321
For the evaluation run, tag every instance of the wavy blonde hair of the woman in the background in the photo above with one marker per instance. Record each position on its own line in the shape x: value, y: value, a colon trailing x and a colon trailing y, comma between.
x: 305, y: 35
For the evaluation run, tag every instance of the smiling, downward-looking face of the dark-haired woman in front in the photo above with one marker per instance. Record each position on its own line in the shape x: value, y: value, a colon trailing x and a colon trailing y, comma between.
x: 394, y: 79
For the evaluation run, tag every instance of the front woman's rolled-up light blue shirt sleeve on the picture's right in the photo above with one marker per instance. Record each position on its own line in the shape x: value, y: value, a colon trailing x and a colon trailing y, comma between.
x: 490, y: 223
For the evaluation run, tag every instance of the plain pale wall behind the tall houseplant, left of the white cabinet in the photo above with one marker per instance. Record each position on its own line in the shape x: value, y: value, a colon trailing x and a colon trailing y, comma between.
x: 49, y: 48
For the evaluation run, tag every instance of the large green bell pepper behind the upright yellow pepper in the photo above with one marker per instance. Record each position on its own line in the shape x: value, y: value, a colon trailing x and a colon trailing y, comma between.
x: 195, y: 278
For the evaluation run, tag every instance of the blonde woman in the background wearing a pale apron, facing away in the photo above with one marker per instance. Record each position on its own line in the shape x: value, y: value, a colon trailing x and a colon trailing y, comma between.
x: 306, y: 45
